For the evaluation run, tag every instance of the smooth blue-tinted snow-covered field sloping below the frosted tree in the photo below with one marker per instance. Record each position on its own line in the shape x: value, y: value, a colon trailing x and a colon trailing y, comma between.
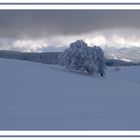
x: 38, y: 96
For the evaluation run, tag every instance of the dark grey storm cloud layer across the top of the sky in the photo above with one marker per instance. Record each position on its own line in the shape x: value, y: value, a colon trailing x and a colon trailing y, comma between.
x: 45, y: 23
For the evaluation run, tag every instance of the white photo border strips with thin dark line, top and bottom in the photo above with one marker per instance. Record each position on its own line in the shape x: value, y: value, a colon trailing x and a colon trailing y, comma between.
x: 62, y: 5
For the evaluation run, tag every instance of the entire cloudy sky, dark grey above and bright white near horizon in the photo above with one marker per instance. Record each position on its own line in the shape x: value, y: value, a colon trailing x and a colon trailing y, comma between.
x: 43, y: 30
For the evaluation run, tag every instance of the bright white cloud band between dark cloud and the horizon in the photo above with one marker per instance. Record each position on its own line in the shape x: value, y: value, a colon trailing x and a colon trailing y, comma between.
x: 111, y: 38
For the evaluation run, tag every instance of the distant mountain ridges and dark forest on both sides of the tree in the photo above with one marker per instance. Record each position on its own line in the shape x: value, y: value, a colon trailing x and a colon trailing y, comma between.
x: 114, y: 56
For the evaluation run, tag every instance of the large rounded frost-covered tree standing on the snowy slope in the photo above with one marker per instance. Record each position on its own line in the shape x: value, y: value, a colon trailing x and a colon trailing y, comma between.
x: 83, y: 58
